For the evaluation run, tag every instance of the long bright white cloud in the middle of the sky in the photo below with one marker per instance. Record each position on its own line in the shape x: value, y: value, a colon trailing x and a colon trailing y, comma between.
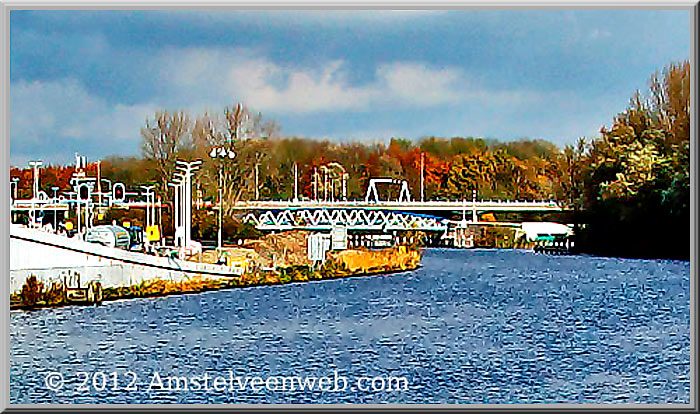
x: 200, y: 77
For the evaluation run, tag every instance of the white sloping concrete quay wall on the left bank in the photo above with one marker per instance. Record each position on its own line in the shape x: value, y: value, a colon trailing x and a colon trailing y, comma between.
x: 52, y: 257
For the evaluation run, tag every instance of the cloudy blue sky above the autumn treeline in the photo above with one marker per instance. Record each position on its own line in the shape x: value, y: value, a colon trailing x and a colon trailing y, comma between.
x: 87, y: 81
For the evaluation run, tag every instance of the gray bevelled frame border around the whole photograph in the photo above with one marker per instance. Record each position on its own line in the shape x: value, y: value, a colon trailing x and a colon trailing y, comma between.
x: 6, y: 7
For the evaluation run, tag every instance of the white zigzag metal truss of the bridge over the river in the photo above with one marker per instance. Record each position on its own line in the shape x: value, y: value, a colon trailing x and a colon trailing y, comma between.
x: 353, y: 219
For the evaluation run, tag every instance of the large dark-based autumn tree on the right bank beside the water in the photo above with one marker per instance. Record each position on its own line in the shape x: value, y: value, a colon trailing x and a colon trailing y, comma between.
x: 638, y: 173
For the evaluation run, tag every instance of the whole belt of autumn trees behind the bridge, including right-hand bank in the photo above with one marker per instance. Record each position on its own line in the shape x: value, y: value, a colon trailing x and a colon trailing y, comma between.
x: 628, y: 188
